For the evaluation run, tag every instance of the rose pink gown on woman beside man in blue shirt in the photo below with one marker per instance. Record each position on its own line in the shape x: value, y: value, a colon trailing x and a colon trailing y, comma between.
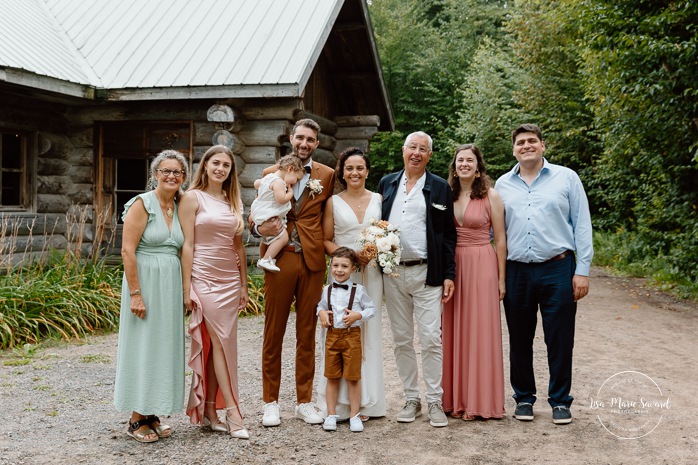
x: 473, y: 375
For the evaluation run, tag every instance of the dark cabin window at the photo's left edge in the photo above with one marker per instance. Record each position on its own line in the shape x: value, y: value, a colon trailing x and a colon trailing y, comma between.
x: 13, y: 172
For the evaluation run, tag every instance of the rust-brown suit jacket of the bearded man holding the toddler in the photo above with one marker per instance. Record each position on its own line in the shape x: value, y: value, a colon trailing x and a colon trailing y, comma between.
x: 306, y: 216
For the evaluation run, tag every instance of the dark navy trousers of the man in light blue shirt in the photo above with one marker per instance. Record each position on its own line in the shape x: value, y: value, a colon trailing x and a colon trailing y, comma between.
x: 547, y: 286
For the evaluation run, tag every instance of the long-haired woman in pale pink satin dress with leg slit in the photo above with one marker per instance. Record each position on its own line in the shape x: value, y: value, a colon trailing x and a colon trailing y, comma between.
x: 214, y: 278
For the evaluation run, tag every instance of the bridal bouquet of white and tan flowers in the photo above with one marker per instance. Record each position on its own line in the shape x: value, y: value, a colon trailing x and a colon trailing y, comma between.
x: 381, y: 243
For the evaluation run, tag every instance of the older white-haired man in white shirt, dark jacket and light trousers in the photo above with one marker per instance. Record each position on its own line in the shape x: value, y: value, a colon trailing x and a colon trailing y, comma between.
x: 420, y: 204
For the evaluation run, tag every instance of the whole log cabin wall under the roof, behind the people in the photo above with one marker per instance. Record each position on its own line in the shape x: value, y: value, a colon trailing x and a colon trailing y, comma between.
x: 65, y: 174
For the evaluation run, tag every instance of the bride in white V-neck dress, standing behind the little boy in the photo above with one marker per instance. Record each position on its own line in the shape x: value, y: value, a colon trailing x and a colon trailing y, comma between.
x: 345, y: 215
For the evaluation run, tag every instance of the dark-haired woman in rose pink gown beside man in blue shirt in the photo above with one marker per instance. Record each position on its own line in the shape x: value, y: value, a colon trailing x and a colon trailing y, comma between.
x: 473, y: 374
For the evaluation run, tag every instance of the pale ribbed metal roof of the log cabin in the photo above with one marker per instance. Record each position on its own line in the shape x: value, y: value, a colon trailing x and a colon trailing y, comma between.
x: 264, y: 47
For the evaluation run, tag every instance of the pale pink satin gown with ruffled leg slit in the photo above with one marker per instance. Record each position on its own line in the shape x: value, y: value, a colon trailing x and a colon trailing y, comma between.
x: 215, y: 287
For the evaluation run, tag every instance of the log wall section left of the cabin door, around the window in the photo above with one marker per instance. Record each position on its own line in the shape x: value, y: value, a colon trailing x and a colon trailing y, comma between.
x: 57, y: 187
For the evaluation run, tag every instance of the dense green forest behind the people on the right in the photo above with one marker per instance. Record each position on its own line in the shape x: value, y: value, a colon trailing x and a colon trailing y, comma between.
x: 613, y: 84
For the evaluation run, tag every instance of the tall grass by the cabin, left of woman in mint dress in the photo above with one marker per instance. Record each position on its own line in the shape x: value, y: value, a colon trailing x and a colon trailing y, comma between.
x: 54, y: 293
